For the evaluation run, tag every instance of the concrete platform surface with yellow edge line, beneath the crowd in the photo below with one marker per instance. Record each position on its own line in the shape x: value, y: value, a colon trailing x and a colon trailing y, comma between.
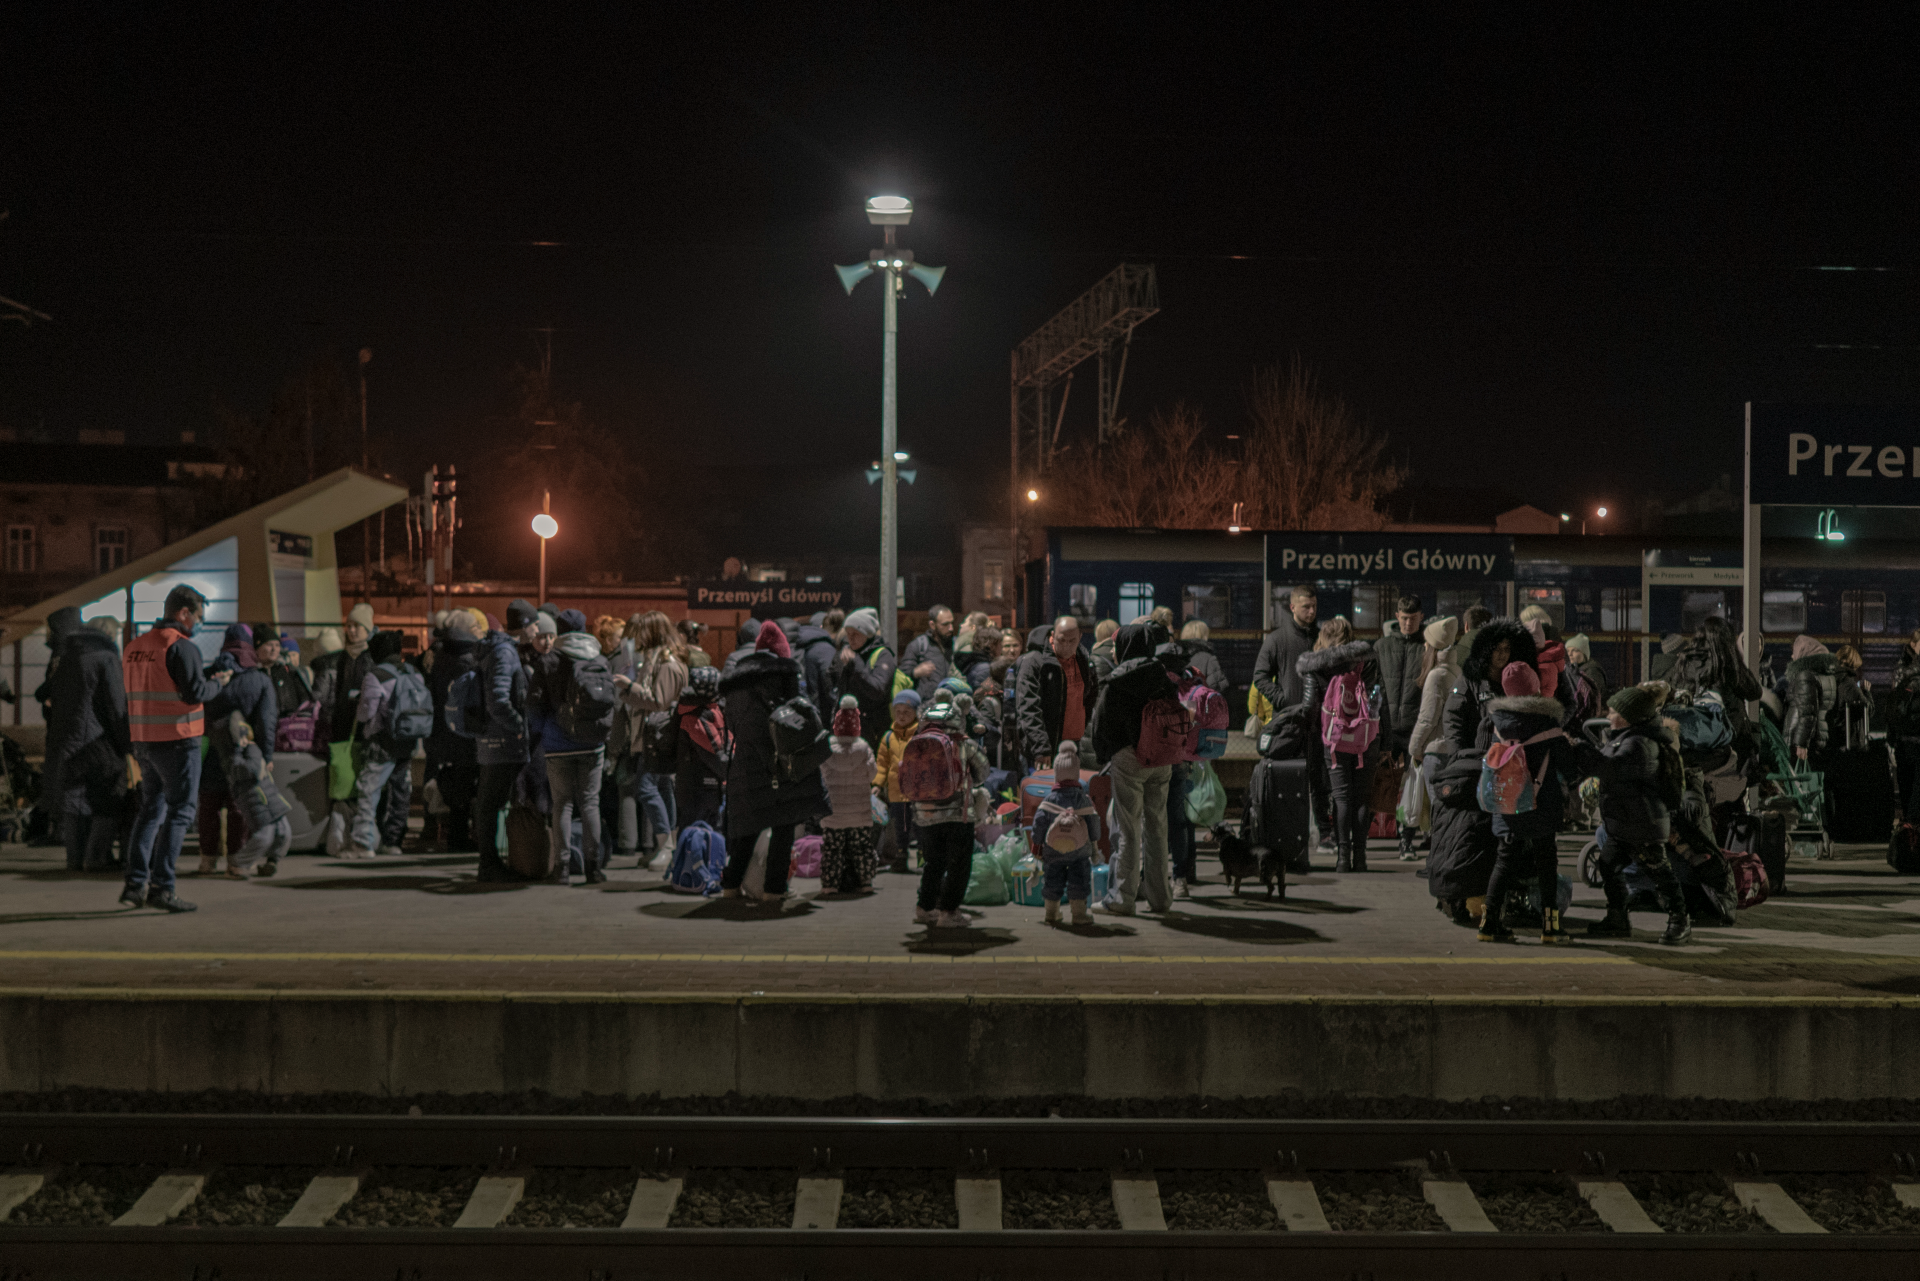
x: 421, y: 925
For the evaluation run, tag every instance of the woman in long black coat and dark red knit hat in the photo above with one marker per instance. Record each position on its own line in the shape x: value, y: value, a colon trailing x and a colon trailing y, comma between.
x: 756, y: 800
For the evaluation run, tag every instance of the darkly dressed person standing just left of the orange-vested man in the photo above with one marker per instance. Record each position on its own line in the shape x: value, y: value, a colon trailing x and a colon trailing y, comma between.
x: 87, y: 748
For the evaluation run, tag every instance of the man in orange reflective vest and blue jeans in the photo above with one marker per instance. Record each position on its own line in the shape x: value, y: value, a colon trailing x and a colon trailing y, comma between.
x: 166, y: 690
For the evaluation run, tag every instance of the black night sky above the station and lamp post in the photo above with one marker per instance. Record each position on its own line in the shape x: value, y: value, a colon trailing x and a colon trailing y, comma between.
x: 1552, y: 254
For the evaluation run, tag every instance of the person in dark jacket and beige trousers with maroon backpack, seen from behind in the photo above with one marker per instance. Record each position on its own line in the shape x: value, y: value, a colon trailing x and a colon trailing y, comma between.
x: 1143, y: 858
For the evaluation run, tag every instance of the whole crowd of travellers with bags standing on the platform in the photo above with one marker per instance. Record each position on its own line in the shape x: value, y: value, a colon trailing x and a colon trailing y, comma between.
x: 556, y: 744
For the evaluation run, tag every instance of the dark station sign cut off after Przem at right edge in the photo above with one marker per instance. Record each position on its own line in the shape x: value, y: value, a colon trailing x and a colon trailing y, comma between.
x: 1835, y: 456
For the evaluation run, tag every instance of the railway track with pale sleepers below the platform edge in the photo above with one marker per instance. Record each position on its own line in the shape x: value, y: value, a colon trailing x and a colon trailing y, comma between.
x: 416, y: 1199
